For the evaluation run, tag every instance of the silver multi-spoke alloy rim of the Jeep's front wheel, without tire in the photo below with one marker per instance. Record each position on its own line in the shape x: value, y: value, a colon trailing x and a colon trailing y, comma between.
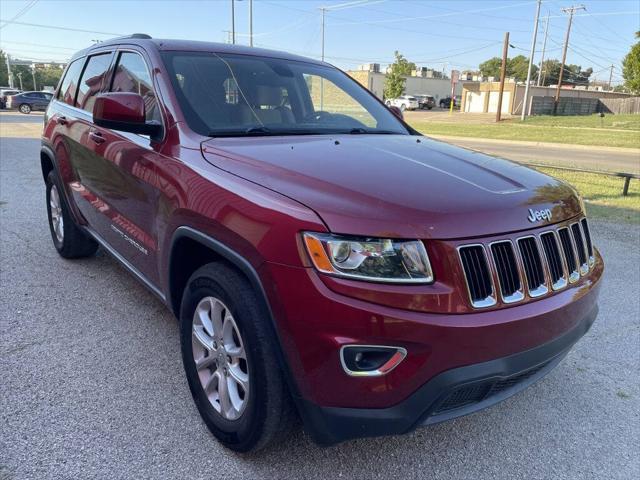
x: 220, y: 358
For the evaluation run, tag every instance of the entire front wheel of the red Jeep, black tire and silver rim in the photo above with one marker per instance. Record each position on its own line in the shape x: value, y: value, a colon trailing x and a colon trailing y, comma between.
x: 252, y: 417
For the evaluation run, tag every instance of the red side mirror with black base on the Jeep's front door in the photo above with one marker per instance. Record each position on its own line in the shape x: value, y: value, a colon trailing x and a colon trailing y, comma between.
x: 123, y: 111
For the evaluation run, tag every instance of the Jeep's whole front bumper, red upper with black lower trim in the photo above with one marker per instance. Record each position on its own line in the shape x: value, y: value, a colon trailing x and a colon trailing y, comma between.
x: 456, y: 363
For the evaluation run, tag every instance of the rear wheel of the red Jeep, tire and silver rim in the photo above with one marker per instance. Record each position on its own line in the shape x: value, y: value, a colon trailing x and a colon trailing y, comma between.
x: 69, y: 240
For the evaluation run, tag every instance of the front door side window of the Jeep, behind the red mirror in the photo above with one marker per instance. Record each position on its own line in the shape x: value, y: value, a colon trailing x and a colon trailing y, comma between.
x: 132, y: 75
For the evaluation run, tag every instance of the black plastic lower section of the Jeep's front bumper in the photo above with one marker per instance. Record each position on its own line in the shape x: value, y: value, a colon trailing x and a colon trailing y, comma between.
x: 451, y: 394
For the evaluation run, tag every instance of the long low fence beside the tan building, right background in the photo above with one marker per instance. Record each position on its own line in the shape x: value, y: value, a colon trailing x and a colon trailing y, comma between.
x: 584, y: 106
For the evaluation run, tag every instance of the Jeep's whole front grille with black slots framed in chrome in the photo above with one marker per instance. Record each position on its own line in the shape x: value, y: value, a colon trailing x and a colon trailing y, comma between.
x: 535, y: 264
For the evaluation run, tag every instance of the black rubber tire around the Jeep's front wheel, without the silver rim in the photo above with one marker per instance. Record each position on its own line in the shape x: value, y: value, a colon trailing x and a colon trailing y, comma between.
x: 269, y: 413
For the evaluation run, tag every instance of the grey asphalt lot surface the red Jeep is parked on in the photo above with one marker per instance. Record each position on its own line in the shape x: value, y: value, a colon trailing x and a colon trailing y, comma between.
x: 92, y: 383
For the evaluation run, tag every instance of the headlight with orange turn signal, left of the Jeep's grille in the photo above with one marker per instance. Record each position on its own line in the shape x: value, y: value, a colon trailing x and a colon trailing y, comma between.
x: 372, y: 259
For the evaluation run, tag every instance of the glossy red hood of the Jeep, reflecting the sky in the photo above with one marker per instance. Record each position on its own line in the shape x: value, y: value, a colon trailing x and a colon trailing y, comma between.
x: 397, y: 185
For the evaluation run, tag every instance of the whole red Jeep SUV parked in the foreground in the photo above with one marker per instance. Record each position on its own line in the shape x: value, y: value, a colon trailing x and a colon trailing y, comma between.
x: 324, y: 259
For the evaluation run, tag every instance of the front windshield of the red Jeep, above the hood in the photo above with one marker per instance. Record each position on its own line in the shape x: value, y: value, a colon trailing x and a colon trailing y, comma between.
x: 235, y: 95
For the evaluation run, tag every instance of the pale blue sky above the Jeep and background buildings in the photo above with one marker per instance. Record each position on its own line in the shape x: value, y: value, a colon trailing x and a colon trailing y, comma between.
x: 439, y: 34
